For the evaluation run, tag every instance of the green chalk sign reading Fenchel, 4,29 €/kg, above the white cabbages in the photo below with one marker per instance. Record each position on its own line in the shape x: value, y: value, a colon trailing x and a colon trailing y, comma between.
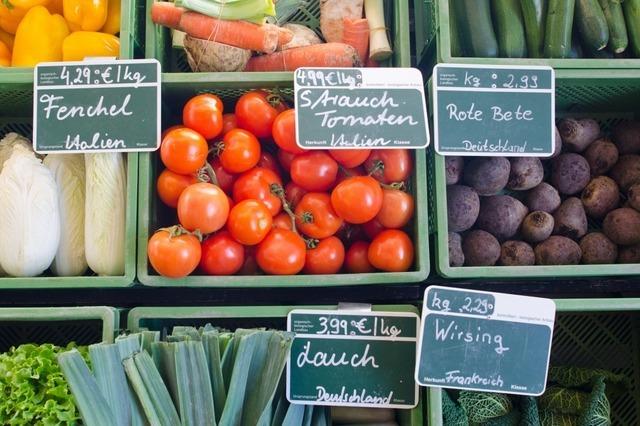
x: 96, y: 106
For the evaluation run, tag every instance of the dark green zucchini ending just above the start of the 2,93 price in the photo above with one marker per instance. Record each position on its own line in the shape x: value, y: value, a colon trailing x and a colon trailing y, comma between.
x: 507, y: 16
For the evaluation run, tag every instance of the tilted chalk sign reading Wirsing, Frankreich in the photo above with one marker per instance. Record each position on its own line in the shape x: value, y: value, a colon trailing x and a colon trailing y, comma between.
x: 483, y: 341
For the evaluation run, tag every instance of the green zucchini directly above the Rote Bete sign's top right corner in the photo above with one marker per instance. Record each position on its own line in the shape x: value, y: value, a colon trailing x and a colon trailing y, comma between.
x: 557, y: 35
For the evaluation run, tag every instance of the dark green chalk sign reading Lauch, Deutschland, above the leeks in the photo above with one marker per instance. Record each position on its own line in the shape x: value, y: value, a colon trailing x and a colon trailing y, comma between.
x: 353, y: 358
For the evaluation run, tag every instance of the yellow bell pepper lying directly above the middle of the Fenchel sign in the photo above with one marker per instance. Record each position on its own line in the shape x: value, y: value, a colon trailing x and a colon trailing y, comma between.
x: 82, y: 44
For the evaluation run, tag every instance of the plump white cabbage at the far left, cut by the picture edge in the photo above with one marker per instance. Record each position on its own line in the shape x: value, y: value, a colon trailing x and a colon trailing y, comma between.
x: 30, y: 216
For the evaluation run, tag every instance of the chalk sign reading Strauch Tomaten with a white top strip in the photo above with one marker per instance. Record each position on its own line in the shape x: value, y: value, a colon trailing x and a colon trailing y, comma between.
x: 347, y: 108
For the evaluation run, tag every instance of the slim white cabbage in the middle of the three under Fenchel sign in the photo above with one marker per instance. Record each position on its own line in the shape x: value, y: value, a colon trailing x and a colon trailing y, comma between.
x: 68, y: 171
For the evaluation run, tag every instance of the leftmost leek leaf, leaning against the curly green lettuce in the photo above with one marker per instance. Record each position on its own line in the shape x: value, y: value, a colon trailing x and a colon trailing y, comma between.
x: 93, y: 407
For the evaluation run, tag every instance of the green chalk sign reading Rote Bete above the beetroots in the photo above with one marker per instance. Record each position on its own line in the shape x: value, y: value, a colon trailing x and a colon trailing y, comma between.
x: 494, y: 110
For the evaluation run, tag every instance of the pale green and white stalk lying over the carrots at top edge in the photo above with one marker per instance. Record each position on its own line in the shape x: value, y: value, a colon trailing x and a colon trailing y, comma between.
x: 231, y: 11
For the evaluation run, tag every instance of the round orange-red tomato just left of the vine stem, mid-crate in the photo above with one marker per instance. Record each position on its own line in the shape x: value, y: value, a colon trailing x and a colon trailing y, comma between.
x: 249, y: 222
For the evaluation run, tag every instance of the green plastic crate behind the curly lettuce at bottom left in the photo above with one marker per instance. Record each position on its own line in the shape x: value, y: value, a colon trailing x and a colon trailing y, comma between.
x: 82, y: 325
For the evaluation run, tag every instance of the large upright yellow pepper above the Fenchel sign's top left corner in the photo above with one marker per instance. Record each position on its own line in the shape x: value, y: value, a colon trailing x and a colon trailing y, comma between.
x: 39, y: 38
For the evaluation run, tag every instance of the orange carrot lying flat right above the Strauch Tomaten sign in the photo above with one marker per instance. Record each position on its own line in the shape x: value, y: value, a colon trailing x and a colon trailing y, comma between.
x: 317, y: 55
